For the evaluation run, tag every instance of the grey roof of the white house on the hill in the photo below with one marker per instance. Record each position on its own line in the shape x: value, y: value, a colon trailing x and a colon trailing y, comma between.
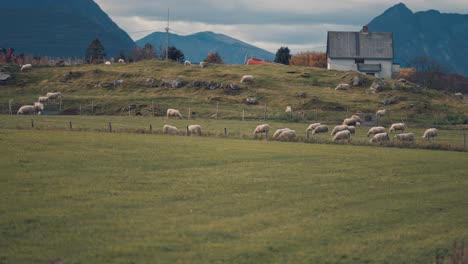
x: 351, y: 45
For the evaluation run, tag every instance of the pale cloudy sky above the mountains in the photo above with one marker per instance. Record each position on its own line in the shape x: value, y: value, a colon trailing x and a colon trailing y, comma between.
x: 301, y: 25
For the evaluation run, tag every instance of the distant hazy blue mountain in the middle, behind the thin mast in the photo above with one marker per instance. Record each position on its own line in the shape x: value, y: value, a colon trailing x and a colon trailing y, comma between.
x: 197, y: 46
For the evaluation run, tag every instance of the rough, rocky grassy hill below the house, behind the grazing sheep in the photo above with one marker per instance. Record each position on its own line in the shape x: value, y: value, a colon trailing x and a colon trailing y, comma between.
x: 310, y: 92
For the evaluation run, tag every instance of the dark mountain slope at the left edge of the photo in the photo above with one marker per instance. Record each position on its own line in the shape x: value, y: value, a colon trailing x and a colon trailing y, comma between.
x: 59, y: 28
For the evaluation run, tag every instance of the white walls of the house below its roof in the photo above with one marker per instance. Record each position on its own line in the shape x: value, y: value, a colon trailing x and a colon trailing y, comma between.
x: 350, y: 65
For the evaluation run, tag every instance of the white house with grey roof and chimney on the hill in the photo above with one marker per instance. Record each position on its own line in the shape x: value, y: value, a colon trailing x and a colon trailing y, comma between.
x: 366, y: 52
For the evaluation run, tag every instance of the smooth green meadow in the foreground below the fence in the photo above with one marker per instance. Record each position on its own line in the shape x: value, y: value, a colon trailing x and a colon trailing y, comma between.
x: 122, y: 198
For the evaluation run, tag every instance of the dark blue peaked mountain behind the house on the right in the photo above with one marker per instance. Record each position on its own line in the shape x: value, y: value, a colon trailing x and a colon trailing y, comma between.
x: 443, y: 37
